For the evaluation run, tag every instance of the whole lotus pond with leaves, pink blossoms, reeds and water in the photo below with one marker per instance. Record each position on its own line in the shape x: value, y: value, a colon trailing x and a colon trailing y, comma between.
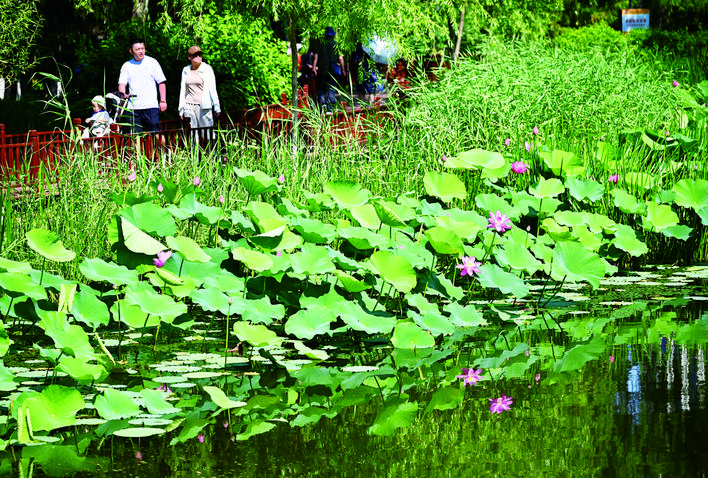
x: 485, y: 312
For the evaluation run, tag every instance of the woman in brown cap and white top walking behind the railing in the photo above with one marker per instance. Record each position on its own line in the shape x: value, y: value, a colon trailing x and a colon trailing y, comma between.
x: 197, y: 94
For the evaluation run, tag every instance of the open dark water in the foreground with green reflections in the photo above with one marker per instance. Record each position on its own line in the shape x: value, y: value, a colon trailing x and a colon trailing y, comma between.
x: 643, y: 414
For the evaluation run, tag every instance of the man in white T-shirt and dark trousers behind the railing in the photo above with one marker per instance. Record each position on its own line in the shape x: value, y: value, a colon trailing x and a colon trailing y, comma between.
x: 142, y: 77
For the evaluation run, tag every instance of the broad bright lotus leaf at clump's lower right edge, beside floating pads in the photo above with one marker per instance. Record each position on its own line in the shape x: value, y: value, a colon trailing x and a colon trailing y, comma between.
x: 574, y: 262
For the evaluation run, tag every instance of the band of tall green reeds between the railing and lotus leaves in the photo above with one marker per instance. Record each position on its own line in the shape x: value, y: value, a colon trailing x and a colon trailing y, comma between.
x: 574, y: 98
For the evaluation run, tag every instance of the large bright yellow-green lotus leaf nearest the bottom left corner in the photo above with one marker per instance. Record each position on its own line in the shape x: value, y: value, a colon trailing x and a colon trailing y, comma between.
x: 55, y: 407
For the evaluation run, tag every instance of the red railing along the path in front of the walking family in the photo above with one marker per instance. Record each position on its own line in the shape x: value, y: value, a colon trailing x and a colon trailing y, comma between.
x: 24, y: 157
